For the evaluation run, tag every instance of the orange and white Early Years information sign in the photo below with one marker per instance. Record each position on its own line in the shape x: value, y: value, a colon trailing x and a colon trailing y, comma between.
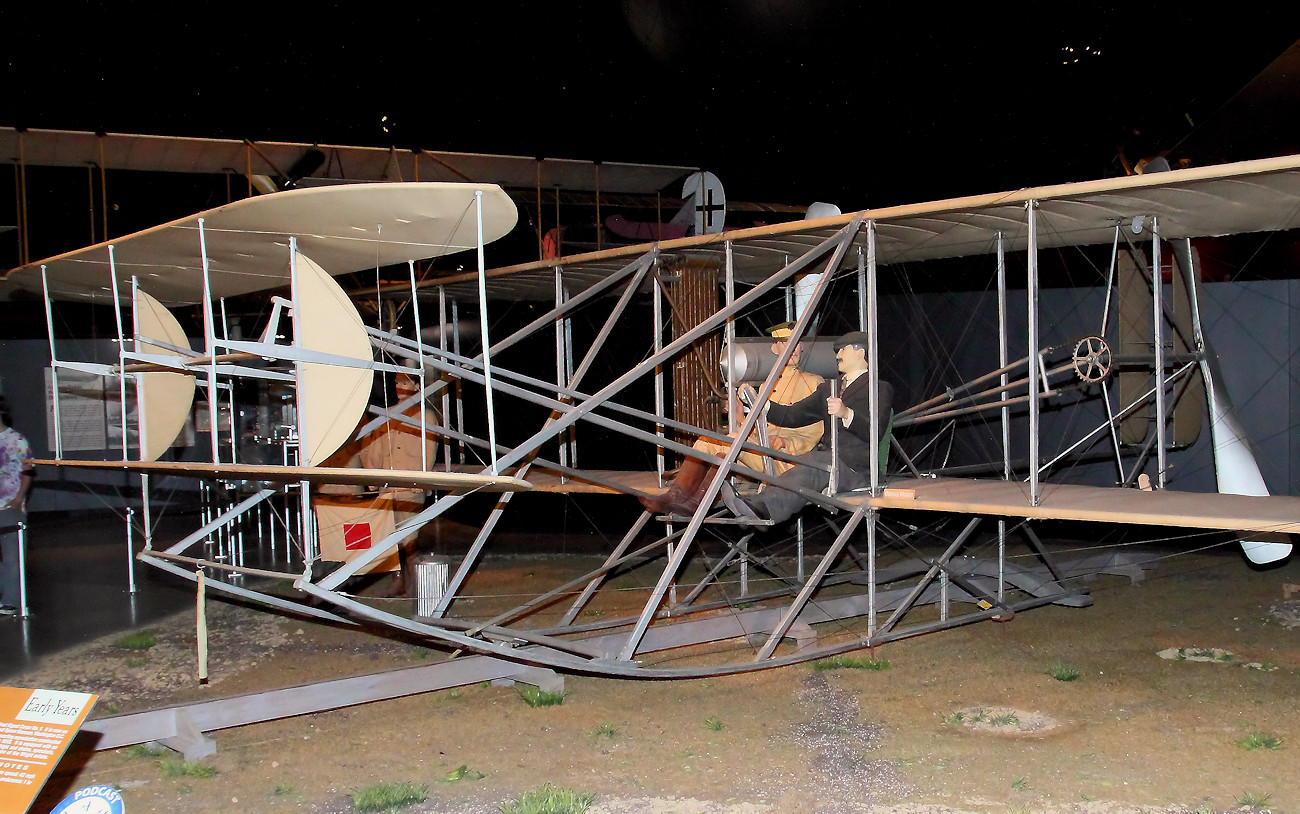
x: 36, y: 729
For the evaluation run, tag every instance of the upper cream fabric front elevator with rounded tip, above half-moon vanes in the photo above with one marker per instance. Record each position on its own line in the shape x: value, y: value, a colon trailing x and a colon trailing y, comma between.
x: 344, y: 228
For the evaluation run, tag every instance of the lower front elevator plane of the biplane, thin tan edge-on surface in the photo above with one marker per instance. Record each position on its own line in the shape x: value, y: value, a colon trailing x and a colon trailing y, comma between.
x: 395, y: 479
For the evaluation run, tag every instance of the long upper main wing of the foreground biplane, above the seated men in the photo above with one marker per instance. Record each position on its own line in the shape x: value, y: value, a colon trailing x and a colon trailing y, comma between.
x: 1211, y: 201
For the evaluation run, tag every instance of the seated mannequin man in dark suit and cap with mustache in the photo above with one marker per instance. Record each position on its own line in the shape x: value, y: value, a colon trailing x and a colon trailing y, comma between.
x: 853, y: 409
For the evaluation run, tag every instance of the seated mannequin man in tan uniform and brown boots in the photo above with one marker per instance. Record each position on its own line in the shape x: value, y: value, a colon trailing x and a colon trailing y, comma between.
x: 694, y: 477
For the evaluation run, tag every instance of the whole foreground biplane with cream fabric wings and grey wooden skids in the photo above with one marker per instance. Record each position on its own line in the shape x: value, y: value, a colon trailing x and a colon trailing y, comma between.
x: 931, y: 543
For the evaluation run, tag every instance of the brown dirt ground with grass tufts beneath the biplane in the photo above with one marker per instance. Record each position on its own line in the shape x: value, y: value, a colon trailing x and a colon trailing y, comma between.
x: 961, y: 721
